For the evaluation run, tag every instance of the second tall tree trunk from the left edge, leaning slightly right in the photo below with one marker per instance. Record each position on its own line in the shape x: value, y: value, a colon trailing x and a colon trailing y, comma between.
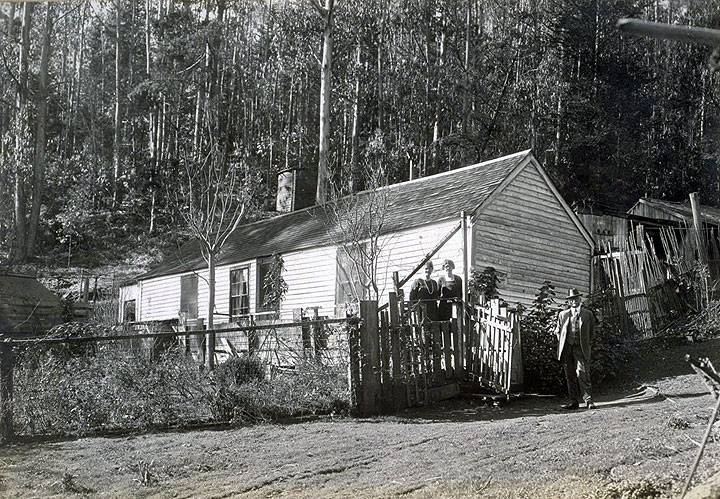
x: 40, y: 142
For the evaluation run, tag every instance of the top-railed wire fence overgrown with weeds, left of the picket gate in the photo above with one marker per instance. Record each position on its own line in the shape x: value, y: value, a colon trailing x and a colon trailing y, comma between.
x: 80, y: 386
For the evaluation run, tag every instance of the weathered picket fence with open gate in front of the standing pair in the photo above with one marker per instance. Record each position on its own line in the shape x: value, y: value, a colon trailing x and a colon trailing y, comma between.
x: 396, y: 362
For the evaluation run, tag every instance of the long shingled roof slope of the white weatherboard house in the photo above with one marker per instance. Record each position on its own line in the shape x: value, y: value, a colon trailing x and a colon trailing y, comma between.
x: 413, y: 203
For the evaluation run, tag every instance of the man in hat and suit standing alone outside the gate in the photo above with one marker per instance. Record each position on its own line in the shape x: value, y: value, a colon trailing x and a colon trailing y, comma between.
x: 574, y: 329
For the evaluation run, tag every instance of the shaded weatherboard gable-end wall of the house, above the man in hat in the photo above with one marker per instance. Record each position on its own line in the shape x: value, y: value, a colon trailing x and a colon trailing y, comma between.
x: 526, y: 234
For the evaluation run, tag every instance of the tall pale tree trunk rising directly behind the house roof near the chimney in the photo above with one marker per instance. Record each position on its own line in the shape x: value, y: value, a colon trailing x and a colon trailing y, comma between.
x: 321, y: 195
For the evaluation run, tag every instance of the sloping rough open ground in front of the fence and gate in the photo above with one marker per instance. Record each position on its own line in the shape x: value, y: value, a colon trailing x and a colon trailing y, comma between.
x: 640, y: 442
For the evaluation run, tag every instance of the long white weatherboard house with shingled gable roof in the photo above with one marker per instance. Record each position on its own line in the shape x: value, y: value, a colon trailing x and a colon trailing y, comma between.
x: 515, y: 221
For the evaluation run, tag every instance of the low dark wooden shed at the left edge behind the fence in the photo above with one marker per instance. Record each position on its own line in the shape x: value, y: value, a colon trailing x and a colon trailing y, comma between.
x: 26, y: 306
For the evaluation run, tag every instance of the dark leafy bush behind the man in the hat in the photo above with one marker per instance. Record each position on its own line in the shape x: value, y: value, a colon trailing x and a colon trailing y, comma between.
x: 612, y: 354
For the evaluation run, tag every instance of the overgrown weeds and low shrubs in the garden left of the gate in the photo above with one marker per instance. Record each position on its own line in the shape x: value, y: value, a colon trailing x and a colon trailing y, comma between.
x: 123, y: 385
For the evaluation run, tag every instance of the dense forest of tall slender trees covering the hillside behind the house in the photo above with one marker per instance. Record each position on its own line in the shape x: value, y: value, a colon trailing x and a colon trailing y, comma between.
x: 103, y: 104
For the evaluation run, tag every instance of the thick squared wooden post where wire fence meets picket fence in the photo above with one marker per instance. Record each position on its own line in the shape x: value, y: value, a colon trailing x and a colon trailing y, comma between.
x: 370, y: 356
